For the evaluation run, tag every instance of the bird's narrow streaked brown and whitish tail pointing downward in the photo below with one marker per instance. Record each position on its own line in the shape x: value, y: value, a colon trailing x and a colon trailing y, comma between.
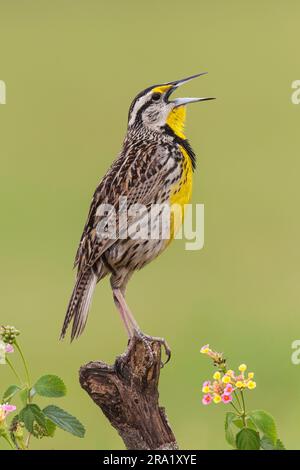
x: 79, y: 304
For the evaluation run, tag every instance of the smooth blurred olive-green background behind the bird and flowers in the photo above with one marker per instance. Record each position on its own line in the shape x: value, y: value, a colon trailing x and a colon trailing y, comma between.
x: 71, y: 70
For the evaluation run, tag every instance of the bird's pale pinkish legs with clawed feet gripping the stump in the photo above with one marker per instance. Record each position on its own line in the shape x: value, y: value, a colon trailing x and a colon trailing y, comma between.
x: 130, y: 321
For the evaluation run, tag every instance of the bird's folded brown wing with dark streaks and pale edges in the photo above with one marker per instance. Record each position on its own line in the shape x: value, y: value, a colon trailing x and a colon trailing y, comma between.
x: 140, y: 182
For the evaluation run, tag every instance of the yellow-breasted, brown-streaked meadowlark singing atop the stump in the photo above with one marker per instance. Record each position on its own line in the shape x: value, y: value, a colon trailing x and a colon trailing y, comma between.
x: 154, y: 168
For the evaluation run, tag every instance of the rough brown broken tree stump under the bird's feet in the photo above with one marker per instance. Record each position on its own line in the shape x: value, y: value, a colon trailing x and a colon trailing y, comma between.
x: 127, y: 393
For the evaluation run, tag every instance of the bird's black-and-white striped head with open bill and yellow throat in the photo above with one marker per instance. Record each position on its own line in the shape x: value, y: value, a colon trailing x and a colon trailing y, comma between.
x: 153, y: 109
